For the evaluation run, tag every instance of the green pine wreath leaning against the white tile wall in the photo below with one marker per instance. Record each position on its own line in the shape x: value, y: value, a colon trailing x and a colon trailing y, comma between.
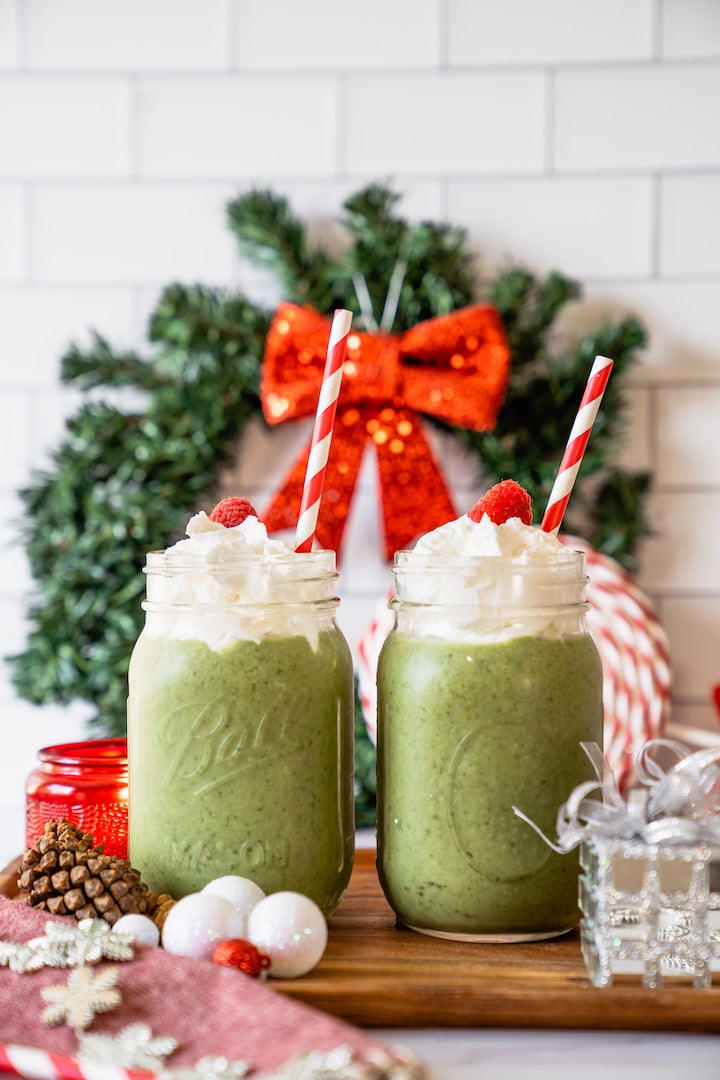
x: 125, y: 481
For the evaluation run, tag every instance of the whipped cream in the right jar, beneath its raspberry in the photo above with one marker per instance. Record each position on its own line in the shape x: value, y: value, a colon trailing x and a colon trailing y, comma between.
x: 478, y: 582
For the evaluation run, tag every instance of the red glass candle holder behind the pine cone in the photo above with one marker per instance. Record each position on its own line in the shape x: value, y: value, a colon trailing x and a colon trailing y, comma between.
x: 86, y: 782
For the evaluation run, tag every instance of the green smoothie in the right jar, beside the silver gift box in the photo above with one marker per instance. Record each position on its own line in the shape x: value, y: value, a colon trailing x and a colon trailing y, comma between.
x: 465, y: 733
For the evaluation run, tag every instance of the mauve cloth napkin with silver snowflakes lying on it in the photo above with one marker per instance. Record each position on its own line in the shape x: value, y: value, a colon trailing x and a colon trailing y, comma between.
x: 208, y: 1009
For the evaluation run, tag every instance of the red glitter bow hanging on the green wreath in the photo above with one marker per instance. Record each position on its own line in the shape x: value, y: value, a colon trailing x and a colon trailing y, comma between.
x: 455, y: 368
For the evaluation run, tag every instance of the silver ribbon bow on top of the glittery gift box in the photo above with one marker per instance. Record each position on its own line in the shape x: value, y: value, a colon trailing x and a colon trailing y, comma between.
x: 681, y: 805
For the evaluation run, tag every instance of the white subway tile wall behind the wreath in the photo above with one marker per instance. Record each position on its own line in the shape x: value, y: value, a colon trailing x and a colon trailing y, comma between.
x: 578, y: 134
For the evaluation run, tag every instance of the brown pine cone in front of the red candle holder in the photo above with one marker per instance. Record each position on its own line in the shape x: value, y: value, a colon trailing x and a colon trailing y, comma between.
x: 65, y: 875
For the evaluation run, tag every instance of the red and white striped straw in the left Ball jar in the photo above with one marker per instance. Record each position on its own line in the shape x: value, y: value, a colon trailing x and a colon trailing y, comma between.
x: 320, y: 447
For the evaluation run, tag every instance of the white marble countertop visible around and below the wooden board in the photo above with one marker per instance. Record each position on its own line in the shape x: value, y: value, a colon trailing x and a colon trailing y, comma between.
x: 511, y: 1055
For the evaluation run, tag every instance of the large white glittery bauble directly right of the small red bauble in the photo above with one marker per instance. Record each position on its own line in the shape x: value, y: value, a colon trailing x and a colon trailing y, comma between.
x: 292, y: 930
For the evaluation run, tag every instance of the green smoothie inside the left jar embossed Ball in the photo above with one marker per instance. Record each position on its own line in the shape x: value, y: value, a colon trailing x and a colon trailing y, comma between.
x: 241, y: 762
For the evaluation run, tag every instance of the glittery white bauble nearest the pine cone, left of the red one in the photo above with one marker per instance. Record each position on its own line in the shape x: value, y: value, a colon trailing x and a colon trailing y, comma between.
x: 198, y: 923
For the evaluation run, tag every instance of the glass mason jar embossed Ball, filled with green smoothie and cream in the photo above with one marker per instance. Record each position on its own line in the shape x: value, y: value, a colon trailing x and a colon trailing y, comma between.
x: 241, y: 727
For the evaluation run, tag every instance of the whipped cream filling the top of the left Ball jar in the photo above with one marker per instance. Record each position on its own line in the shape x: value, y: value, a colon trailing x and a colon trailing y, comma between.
x: 225, y: 585
